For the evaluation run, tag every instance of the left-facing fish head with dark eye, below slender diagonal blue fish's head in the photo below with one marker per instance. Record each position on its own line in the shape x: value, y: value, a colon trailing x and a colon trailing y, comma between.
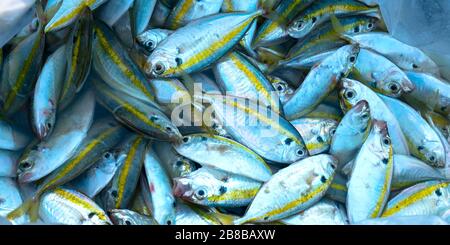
x: 350, y: 93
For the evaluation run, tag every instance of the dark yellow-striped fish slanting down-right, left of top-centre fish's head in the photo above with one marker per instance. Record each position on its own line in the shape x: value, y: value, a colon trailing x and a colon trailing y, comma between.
x: 115, y: 66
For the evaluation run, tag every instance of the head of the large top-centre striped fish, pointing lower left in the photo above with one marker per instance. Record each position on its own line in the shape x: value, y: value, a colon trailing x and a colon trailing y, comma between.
x: 162, y: 63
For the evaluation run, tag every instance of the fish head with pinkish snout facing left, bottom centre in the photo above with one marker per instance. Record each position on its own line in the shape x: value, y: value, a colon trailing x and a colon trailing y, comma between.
x: 199, y: 186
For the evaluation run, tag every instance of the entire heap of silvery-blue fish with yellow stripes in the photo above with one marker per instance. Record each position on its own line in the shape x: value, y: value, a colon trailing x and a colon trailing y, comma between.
x: 220, y: 112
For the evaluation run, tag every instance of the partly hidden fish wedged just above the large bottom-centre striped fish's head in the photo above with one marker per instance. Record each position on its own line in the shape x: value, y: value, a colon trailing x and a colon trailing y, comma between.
x: 316, y: 132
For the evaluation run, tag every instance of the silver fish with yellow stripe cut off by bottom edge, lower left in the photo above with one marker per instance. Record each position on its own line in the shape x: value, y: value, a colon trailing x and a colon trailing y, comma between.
x: 68, y: 207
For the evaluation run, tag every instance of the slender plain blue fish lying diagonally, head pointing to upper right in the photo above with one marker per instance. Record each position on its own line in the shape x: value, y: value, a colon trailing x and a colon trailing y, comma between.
x: 320, y: 82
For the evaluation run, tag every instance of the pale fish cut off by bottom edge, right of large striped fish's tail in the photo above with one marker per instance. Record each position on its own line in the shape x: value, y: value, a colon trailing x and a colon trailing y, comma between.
x: 325, y: 212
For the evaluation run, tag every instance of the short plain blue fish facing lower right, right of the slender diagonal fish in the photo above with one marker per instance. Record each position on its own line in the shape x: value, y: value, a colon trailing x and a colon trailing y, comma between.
x: 382, y: 75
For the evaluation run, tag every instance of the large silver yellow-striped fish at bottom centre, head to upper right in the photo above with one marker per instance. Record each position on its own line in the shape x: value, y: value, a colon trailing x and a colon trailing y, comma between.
x: 291, y: 190
